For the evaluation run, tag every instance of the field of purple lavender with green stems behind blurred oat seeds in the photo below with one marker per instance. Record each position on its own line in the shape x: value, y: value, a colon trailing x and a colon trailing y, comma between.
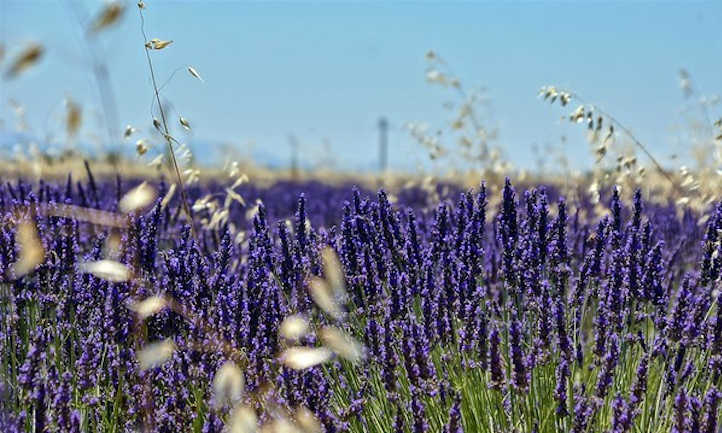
x: 529, y: 317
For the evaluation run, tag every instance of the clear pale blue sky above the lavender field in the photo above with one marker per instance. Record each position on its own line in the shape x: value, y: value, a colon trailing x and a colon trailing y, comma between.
x: 326, y: 71
